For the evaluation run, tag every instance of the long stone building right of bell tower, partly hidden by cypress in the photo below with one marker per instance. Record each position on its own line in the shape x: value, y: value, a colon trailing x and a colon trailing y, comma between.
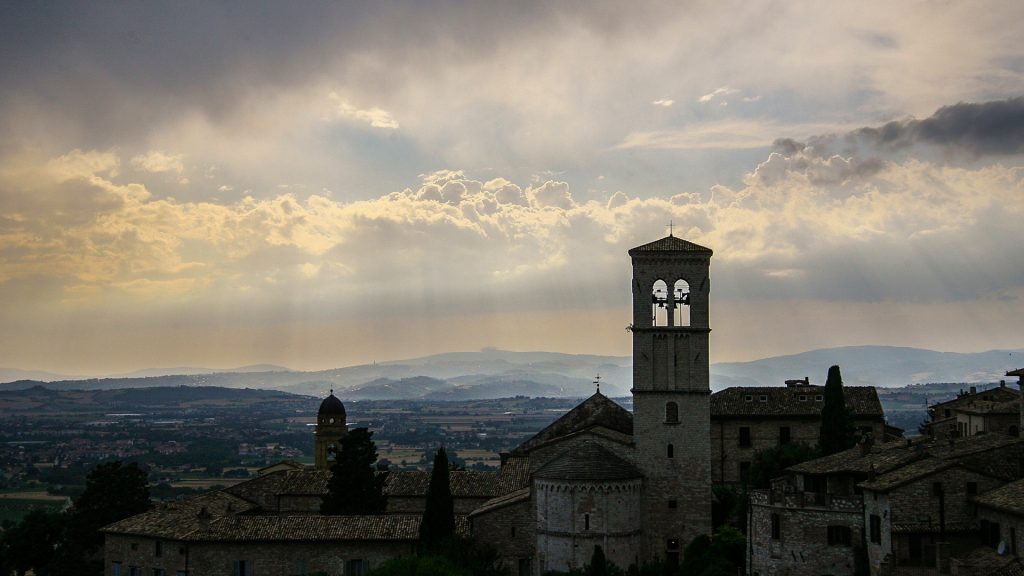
x: 749, y: 420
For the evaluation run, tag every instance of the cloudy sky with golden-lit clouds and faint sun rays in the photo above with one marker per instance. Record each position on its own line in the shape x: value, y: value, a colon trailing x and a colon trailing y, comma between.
x: 223, y: 184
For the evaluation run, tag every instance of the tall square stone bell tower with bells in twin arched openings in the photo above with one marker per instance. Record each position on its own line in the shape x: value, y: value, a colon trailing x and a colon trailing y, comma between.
x: 671, y: 392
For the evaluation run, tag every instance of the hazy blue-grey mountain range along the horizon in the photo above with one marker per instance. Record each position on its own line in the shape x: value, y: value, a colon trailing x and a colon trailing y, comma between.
x: 495, y: 374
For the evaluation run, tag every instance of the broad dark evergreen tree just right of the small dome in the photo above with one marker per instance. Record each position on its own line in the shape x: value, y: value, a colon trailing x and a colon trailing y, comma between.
x: 355, y: 488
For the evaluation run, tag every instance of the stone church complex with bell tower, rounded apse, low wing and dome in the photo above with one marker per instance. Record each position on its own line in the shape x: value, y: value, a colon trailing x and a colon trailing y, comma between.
x: 636, y: 484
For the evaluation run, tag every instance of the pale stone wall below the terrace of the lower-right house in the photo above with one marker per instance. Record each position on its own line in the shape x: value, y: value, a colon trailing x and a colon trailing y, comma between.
x: 803, y: 544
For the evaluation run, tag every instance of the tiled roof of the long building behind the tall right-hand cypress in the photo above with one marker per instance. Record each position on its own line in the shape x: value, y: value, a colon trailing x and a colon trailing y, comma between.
x: 791, y: 401
